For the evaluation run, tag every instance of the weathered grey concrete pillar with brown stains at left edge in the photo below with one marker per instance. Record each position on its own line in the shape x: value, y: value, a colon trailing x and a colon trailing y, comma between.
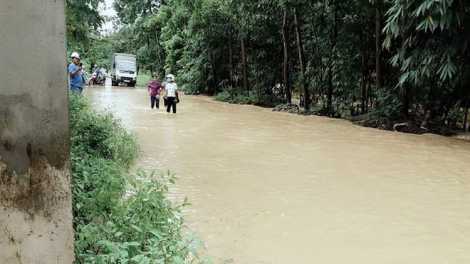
x: 35, y: 195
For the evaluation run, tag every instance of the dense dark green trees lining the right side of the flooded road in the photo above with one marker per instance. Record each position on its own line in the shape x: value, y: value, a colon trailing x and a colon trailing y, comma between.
x: 394, y: 58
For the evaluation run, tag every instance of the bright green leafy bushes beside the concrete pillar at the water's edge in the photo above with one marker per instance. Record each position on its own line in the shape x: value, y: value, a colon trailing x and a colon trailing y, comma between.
x: 119, y: 217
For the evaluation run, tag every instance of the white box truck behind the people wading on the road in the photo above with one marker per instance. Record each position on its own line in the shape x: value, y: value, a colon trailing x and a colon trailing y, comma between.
x: 124, y: 69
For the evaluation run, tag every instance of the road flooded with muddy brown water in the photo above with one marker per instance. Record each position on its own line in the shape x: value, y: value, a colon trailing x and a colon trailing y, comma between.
x: 277, y: 188
